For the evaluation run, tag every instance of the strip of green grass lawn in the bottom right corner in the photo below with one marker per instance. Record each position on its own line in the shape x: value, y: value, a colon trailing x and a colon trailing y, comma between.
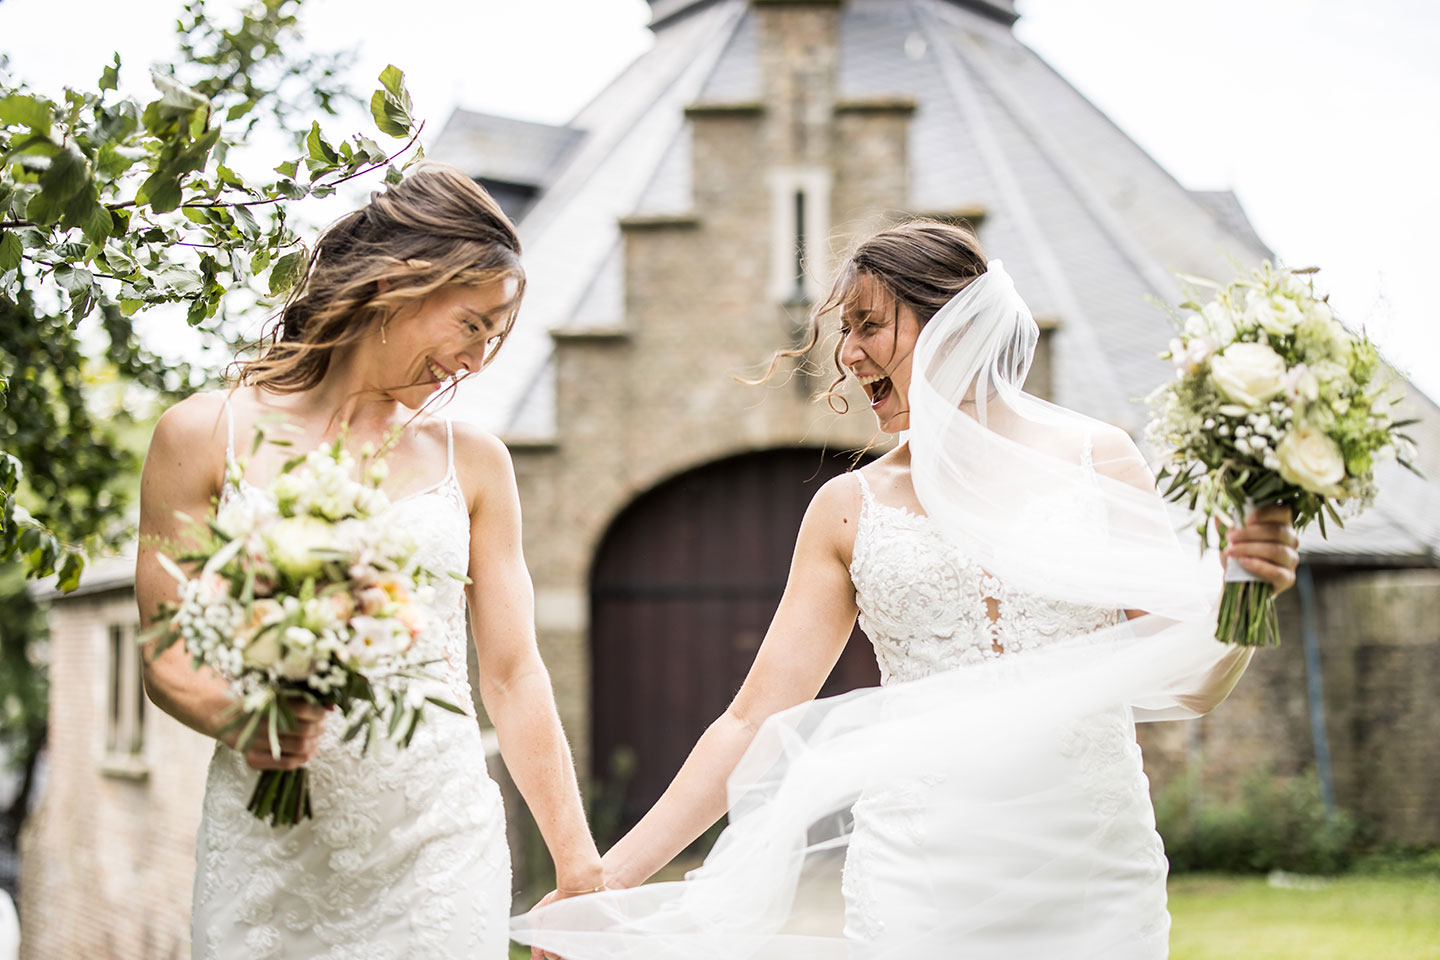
x: 1220, y: 918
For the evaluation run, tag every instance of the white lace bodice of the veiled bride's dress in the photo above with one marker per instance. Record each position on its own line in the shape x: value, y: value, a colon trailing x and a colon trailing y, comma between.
x: 928, y: 608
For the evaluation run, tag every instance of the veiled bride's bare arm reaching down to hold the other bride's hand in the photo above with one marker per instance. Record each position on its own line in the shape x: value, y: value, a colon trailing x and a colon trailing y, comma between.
x: 806, y: 638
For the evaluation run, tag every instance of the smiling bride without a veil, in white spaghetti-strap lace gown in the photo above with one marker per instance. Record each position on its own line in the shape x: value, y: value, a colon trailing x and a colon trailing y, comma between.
x: 405, y: 856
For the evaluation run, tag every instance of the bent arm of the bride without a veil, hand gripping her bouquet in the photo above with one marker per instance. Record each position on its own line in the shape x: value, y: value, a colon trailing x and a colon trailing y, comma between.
x: 184, y: 471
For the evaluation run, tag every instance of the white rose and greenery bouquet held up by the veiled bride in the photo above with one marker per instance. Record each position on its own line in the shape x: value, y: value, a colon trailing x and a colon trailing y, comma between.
x: 1274, y: 402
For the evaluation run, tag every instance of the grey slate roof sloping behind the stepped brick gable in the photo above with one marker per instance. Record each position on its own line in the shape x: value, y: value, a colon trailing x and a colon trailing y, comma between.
x: 1089, y: 225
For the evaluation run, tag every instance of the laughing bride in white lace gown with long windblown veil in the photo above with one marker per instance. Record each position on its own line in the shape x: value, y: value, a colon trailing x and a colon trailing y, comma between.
x: 1029, y: 598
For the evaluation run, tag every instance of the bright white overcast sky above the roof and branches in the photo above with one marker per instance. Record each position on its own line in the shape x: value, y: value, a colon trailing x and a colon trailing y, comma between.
x: 1321, y: 114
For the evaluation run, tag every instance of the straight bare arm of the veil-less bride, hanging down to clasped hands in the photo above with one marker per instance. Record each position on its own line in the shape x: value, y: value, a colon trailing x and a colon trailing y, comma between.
x: 515, y: 684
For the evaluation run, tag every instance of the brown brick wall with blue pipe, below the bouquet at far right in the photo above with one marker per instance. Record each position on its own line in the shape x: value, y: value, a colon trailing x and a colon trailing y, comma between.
x: 1380, y: 663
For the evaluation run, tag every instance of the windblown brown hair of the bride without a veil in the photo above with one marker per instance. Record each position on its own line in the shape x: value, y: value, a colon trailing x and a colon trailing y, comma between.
x: 433, y: 230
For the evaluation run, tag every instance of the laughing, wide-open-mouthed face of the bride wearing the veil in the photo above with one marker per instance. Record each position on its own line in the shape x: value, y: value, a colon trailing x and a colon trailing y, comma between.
x: 879, y: 340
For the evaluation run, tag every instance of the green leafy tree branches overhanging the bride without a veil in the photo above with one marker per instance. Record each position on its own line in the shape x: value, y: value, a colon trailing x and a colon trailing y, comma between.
x: 110, y: 207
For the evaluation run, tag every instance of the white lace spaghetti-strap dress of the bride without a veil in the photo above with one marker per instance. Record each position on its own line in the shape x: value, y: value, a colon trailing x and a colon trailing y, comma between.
x: 405, y: 857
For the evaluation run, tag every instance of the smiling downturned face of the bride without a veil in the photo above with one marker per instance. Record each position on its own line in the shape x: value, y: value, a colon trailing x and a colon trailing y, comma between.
x: 449, y: 335
